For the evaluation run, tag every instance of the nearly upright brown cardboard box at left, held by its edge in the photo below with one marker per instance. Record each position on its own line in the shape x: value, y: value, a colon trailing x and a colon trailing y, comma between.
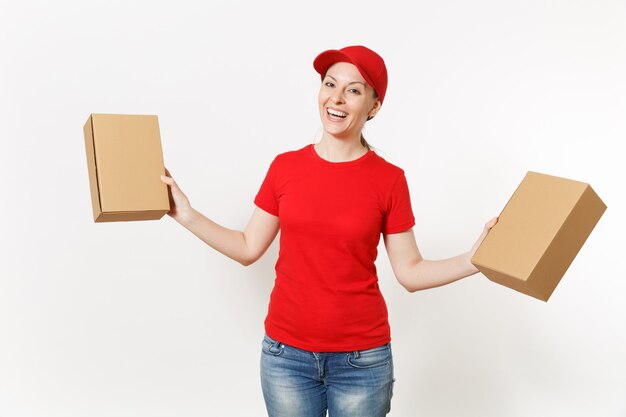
x: 125, y: 161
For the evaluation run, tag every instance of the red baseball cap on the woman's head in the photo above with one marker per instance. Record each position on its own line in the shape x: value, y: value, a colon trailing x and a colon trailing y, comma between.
x: 369, y: 63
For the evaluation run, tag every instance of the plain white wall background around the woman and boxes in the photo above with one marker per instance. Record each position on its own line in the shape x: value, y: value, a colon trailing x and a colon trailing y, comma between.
x: 143, y: 319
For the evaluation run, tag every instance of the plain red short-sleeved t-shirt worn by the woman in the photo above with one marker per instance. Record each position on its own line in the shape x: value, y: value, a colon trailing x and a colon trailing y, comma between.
x: 326, y: 296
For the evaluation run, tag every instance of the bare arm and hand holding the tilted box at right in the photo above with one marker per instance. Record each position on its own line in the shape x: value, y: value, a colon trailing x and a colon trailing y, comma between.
x: 416, y: 273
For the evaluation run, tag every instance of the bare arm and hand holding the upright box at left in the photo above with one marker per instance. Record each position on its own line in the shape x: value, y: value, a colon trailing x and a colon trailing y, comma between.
x: 244, y: 247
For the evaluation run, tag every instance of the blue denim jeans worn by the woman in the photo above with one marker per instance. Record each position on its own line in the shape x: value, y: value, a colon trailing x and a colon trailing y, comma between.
x: 299, y: 383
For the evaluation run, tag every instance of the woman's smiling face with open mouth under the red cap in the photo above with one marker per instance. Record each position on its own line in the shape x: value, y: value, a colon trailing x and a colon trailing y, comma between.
x: 345, y: 101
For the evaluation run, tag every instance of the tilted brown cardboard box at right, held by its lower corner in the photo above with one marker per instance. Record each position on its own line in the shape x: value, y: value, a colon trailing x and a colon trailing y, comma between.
x: 538, y: 234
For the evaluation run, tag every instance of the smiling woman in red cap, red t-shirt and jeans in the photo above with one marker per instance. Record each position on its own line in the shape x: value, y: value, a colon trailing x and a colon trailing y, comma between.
x: 327, y: 342
